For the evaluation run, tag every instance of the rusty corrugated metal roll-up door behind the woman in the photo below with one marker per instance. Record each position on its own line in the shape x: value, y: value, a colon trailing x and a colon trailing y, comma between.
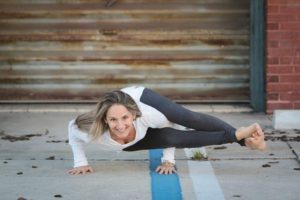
x: 54, y: 50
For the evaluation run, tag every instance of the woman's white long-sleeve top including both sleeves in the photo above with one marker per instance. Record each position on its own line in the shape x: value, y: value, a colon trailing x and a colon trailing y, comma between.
x: 151, y: 118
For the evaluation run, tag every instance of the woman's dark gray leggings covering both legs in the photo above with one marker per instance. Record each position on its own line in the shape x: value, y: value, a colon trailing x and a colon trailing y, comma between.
x: 207, y: 130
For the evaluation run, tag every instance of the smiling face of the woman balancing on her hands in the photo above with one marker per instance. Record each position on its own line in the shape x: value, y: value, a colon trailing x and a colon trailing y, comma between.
x: 120, y: 121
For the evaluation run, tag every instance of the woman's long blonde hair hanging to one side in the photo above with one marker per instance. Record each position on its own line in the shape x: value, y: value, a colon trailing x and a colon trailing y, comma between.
x: 93, y: 122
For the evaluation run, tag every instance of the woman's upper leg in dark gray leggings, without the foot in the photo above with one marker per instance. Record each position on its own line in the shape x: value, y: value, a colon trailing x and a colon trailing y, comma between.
x: 182, y: 116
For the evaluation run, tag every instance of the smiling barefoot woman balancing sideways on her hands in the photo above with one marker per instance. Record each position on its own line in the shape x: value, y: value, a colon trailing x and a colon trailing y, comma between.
x: 137, y: 118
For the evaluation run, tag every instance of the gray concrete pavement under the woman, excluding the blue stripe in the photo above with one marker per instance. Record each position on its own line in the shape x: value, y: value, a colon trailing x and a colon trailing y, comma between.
x: 34, y: 158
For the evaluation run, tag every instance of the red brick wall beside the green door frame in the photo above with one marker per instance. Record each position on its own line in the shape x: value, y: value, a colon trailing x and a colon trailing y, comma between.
x: 282, y: 55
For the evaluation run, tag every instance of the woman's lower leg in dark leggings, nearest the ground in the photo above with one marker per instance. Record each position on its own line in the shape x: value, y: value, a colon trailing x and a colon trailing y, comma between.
x: 169, y: 137
